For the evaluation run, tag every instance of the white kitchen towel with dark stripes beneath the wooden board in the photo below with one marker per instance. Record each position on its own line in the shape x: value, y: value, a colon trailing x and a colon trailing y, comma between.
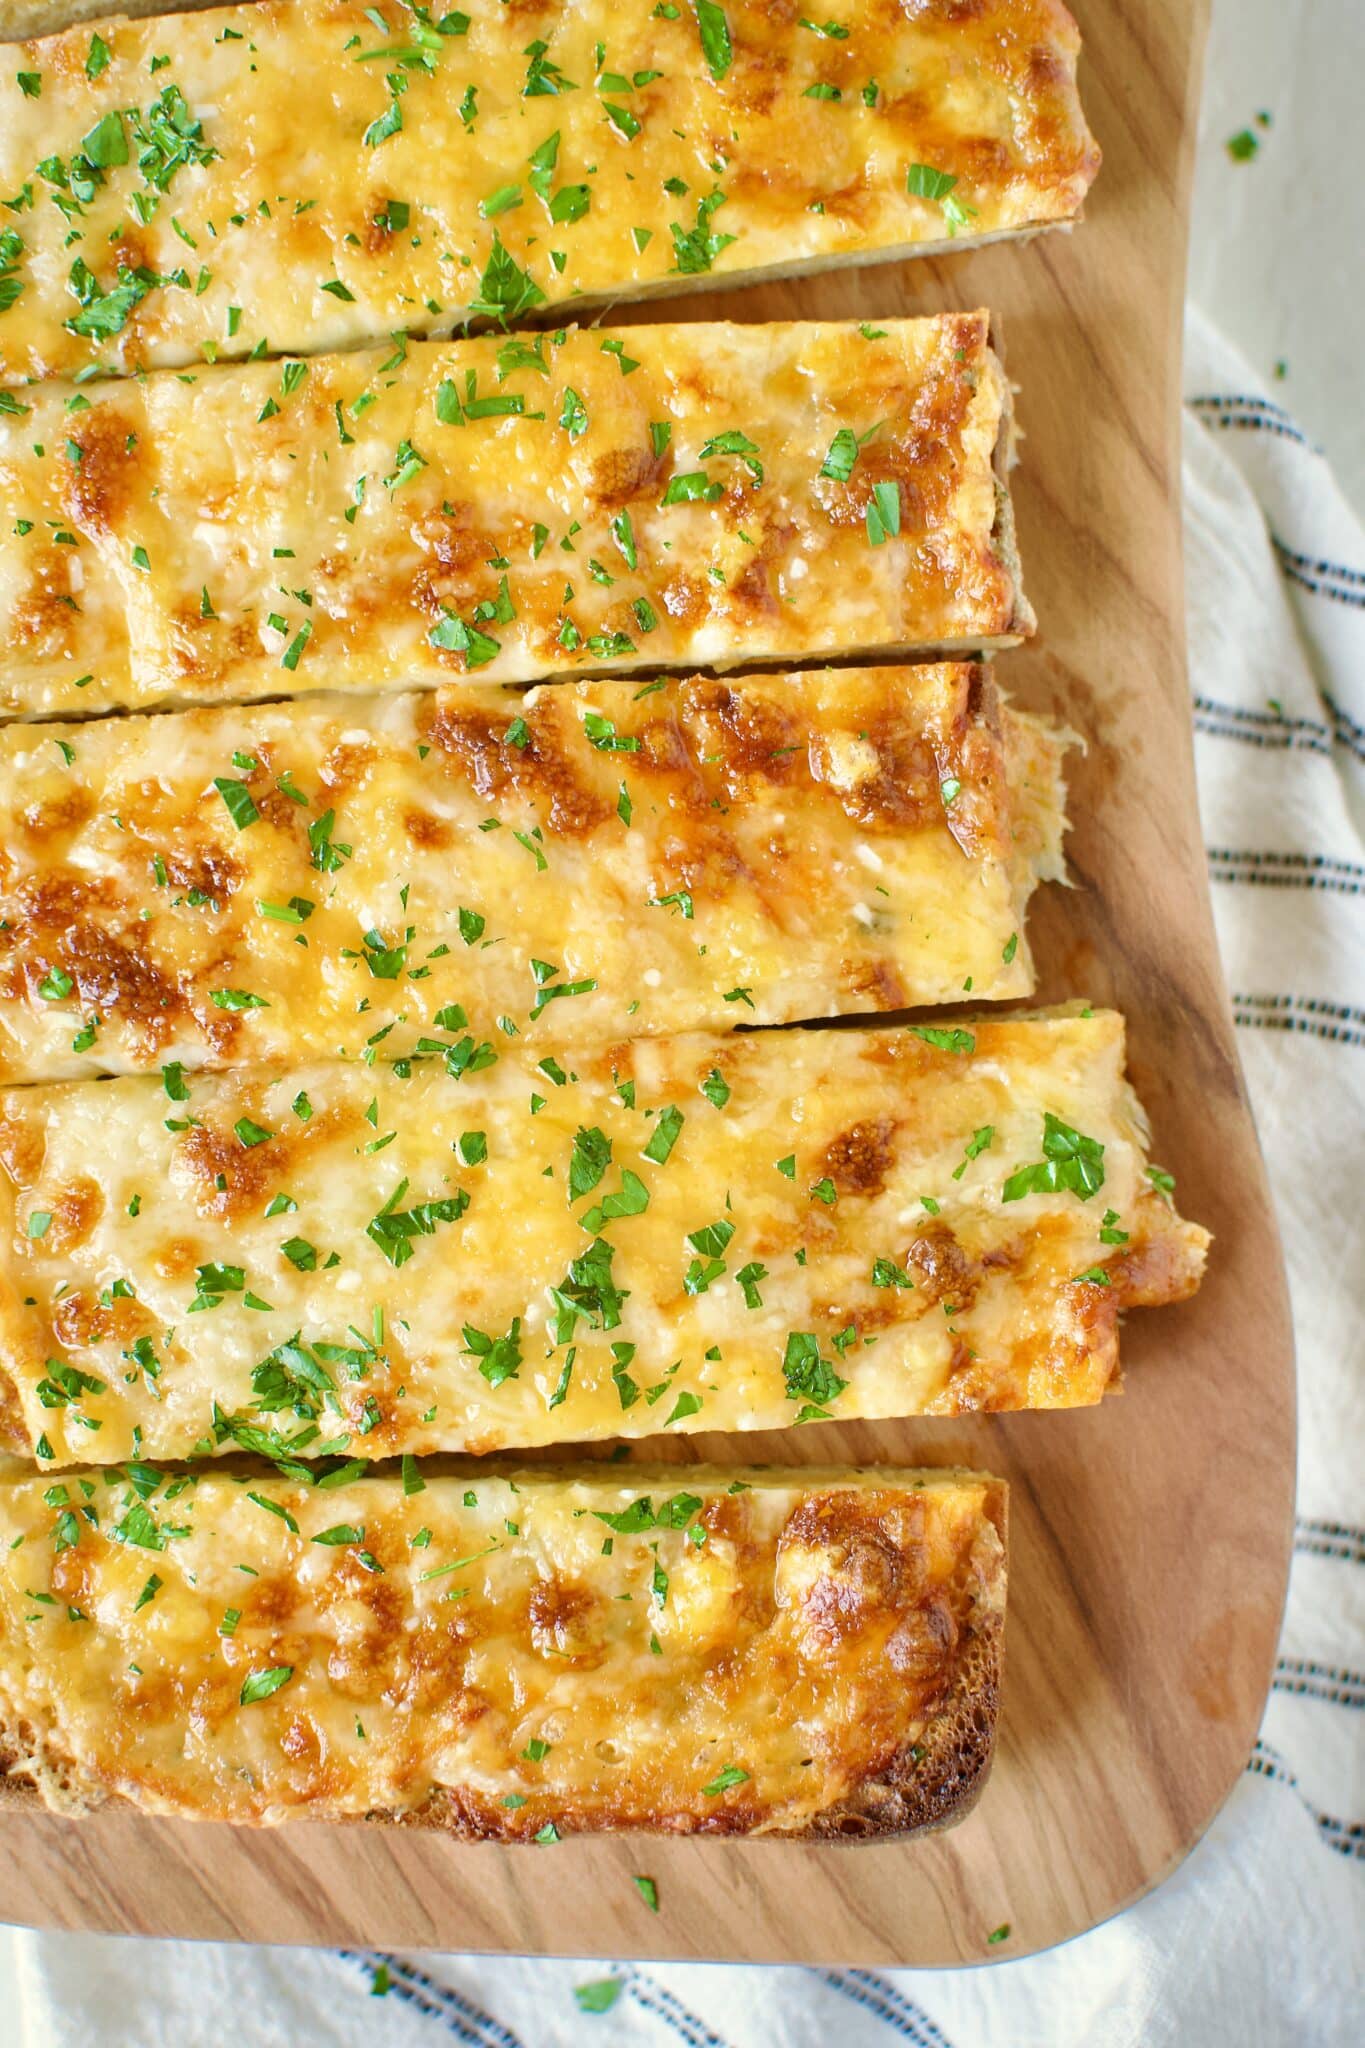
x: 1260, y: 1938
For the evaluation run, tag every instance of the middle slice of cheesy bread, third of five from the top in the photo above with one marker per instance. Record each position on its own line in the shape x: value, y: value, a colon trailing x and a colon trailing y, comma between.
x: 605, y: 859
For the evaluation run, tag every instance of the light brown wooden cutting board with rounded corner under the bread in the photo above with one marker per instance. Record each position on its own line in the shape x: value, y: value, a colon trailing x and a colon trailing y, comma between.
x: 1151, y: 1539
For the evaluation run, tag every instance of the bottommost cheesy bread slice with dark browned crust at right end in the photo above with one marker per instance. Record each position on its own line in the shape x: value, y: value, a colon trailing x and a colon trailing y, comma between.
x: 504, y: 1656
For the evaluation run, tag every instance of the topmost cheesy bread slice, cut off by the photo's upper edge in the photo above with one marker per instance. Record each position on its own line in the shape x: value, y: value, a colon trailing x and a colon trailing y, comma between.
x: 310, y: 175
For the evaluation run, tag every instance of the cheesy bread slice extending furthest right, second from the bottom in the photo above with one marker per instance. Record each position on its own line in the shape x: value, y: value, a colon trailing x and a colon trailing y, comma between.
x: 494, y: 1246
